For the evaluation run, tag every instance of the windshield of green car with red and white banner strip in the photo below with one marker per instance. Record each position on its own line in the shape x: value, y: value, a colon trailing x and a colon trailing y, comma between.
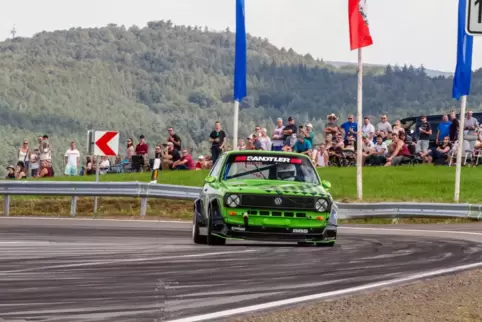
x: 270, y: 167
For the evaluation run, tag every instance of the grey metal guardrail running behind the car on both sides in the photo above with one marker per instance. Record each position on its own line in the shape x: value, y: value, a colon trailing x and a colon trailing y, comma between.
x: 164, y: 191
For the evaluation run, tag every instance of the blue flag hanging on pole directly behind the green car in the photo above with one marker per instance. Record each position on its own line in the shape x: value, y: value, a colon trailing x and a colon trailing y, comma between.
x: 240, y: 90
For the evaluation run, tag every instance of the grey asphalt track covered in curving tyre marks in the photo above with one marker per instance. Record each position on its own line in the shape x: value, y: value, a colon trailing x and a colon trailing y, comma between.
x: 96, y: 270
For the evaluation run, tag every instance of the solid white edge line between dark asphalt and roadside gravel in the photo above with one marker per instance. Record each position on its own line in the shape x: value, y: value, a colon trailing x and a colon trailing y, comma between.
x: 295, y: 300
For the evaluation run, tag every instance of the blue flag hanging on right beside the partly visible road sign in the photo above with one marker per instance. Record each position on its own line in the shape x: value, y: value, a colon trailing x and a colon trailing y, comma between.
x: 463, y: 71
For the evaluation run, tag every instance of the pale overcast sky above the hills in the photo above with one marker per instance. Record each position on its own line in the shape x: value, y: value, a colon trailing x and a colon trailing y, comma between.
x: 410, y: 31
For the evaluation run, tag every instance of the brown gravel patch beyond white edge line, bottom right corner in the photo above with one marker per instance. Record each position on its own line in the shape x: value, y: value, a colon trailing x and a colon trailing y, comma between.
x: 448, y: 298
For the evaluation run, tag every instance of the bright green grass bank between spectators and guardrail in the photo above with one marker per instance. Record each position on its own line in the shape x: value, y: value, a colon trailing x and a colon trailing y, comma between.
x: 418, y: 183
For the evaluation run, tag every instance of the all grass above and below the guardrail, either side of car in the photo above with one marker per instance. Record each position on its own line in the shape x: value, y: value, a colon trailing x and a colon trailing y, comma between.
x: 418, y: 184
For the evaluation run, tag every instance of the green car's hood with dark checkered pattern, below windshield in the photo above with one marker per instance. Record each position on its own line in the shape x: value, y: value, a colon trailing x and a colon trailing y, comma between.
x: 274, y: 188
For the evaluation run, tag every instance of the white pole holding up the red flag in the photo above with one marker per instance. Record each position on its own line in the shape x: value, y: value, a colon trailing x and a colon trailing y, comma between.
x: 359, y: 124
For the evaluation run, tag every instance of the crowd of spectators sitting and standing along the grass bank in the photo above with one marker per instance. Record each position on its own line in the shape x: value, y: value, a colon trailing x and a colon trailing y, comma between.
x: 385, y: 144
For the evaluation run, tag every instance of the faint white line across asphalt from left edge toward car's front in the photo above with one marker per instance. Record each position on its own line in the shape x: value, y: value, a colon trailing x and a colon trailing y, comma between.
x: 127, y: 260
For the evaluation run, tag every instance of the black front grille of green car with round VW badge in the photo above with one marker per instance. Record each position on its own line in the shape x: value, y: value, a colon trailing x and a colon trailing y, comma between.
x: 277, y: 202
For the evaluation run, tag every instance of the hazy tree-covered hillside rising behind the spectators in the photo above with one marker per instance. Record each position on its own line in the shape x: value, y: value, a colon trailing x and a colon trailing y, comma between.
x: 140, y: 81
